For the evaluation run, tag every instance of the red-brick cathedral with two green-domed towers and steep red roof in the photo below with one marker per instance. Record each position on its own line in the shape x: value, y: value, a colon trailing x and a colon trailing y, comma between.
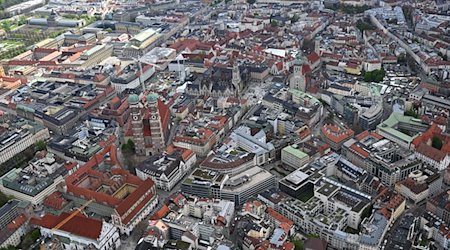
x: 148, y: 125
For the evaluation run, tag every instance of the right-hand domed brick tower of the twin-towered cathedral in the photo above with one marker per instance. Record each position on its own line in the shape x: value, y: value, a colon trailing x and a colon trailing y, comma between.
x: 157, y: 135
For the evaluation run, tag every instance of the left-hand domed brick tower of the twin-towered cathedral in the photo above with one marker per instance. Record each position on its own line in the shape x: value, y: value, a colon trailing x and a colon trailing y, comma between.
x: 137, y: 124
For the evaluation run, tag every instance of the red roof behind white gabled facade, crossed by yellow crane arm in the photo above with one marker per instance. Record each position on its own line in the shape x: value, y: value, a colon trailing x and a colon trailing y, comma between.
x: 79, y: 225
